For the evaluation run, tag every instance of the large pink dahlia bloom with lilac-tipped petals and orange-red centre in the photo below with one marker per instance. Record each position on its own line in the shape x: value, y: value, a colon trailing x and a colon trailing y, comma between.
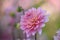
x: 33, y: 21
